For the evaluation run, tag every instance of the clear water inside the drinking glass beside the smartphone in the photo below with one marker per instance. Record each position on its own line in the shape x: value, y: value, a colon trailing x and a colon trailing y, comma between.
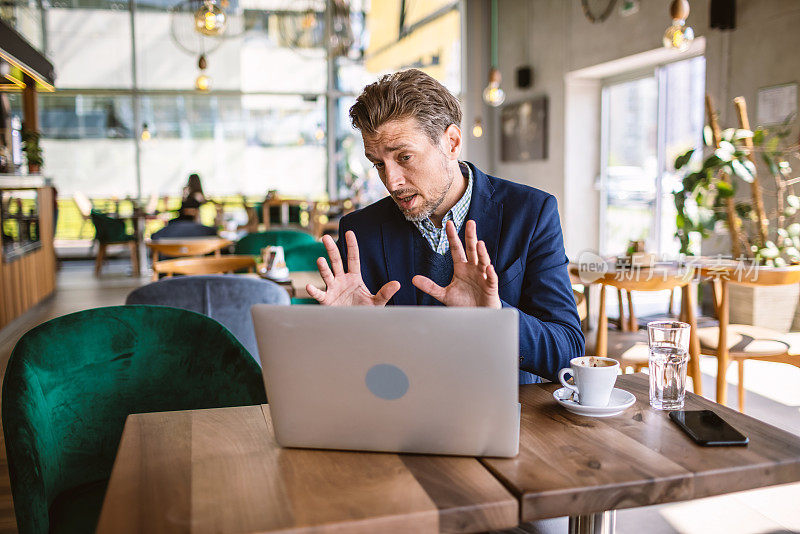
x: 667, y: 376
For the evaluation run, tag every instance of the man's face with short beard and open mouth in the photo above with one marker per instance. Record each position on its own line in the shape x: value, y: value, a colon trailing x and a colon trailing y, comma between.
x: 416, y: 172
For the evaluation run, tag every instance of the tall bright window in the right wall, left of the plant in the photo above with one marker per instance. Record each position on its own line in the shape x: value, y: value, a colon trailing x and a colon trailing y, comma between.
x: 648, y: 120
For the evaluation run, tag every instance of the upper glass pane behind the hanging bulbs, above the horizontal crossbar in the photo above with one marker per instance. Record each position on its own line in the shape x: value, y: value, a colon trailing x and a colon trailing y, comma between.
x: 259, y: 51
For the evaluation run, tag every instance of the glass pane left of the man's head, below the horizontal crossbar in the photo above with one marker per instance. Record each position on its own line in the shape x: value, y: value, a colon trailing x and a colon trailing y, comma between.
x: 244, y: 145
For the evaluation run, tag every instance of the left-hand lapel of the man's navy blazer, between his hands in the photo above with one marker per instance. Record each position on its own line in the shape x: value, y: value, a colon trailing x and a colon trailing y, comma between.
x: 398, y: 252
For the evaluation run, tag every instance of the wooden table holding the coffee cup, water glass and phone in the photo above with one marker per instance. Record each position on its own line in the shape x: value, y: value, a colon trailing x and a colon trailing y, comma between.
x: 581, y: 466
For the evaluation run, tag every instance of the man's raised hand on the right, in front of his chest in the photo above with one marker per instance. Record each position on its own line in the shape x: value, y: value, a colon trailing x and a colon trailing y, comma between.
x: 474, y: 279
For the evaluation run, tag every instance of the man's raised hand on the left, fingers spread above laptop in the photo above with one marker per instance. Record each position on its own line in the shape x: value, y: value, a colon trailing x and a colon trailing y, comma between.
x: 347, y: 289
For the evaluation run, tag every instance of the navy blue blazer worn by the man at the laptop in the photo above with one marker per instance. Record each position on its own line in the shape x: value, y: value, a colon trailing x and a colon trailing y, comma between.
x: 522, y: 232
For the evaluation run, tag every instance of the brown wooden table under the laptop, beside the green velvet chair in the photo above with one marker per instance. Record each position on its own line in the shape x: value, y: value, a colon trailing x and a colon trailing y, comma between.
x: 222, y: 471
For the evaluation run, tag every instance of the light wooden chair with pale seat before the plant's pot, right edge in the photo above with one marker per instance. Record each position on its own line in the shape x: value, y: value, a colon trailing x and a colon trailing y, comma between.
x: 740, y: 342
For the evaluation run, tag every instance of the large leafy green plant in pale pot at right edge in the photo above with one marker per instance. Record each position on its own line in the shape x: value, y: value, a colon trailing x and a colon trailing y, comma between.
x: 767, y: 236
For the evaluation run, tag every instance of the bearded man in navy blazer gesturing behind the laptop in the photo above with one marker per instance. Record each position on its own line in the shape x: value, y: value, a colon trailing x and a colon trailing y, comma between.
x: 504, y: 239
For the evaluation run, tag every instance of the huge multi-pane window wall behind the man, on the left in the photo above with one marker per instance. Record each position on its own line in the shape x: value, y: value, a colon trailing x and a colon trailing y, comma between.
x: 127, y: 119
